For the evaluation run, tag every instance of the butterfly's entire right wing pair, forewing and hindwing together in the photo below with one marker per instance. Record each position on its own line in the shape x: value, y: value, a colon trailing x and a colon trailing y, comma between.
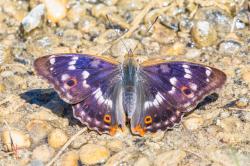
x: 172, y: 89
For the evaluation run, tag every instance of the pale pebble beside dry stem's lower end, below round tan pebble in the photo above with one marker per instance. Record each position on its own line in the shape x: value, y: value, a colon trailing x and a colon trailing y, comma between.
x: 43, y: 153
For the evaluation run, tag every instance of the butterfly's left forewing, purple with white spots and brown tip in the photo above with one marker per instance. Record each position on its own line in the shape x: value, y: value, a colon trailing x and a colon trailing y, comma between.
x: 75, y: 76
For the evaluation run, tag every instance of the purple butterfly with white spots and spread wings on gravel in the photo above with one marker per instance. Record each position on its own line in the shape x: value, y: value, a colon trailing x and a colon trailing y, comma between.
x: 105, y: 94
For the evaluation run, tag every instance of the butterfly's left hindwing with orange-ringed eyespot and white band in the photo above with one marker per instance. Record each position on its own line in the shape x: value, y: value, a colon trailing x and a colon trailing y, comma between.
x: 101, y: 111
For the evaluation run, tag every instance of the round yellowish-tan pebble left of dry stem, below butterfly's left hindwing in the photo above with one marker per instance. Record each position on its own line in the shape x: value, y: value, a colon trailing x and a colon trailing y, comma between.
x: 57, y: 138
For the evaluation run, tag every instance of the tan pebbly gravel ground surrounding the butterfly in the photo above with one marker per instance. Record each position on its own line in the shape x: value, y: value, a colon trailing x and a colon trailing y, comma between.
x: 35, y: 123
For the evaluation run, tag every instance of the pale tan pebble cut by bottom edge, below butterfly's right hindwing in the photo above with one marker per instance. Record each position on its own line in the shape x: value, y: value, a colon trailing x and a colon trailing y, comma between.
x: 172, y: 157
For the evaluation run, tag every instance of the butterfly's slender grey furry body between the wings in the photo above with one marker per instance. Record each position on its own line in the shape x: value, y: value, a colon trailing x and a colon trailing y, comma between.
x: 129, y: 82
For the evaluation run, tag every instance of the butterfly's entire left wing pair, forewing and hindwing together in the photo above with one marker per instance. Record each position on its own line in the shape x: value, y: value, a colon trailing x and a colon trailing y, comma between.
x: 85, y: 82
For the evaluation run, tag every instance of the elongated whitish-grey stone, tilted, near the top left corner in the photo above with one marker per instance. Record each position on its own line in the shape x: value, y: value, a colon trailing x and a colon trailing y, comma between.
x: 33, y: 19
